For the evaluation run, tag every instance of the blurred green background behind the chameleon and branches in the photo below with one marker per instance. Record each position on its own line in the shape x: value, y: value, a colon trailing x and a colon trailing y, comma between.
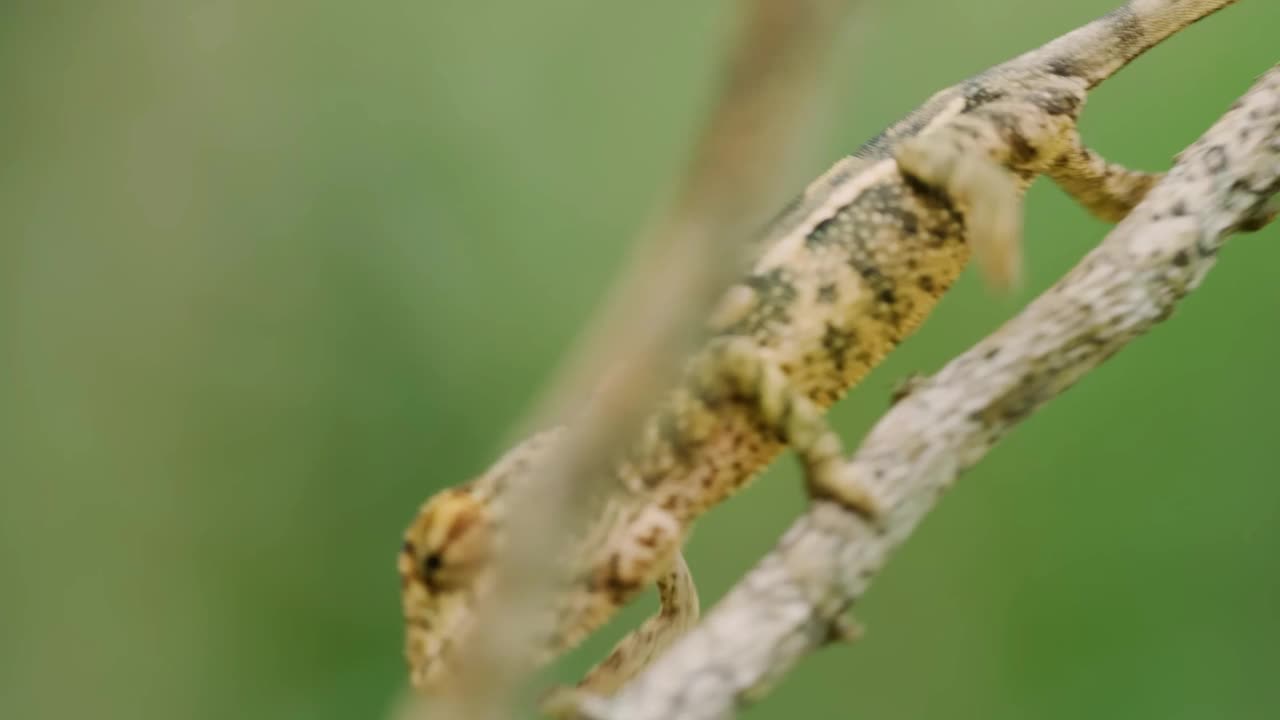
x: 273, y: 272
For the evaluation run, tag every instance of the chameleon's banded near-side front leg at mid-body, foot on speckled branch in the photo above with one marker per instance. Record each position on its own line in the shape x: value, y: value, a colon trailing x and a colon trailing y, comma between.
x: 737, y: 370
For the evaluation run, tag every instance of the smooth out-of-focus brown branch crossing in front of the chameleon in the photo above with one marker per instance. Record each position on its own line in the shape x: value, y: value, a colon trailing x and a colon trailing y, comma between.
x: 636, y: 345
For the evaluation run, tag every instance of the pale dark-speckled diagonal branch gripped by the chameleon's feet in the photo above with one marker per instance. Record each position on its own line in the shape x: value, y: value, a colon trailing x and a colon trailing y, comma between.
x: 793, y: 603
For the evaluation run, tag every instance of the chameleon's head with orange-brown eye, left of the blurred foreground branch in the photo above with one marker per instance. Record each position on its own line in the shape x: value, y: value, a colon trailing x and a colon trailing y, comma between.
x: 446, y: 564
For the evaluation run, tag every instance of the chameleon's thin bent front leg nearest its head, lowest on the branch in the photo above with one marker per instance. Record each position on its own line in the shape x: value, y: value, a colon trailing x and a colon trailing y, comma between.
x: 676, y: 614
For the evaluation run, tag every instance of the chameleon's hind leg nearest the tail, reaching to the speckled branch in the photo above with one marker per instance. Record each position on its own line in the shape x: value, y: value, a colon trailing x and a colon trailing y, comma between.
x: 1105, y: 189
